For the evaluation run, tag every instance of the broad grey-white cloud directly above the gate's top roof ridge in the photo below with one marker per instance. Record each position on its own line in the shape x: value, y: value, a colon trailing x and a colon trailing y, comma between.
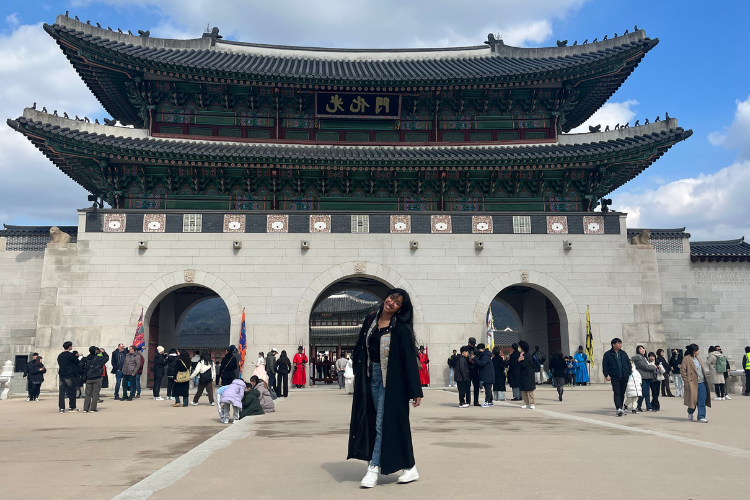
x: 365, y: 23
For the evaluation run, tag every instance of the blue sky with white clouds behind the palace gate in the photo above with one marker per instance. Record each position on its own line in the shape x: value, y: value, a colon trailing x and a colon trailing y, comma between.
x: 698, y: 73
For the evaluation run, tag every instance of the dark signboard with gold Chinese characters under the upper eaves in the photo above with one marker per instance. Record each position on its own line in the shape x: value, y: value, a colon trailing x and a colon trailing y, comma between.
x: 357, y: 105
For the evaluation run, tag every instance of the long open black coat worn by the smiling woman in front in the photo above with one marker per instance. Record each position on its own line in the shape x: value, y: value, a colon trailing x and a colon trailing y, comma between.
x: 402, y: 384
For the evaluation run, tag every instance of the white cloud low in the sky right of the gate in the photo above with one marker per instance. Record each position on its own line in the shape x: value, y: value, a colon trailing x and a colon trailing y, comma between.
x: 712, y: 206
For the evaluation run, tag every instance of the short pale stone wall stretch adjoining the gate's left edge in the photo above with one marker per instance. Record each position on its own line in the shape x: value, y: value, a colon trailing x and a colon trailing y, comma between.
x: 20, y: 278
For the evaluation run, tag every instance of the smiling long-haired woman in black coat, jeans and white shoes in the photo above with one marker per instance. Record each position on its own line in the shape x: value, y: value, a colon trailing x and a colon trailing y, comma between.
x: 386, y: 379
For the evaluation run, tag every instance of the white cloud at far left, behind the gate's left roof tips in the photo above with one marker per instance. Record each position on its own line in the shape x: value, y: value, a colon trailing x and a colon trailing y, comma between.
x: 32, y: 68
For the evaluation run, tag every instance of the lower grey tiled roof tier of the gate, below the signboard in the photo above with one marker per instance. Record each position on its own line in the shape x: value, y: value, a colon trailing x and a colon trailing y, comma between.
x: 390, y: 155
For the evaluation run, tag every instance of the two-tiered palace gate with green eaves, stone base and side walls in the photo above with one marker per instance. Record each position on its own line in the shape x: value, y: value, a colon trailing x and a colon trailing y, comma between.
x: 275, y: 176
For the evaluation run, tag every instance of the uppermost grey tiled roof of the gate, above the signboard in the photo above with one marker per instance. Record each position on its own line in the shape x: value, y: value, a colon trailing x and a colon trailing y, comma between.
x: 398, y: 66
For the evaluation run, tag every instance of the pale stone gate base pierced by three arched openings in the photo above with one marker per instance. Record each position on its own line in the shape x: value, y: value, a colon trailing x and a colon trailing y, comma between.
x: 92, y: 292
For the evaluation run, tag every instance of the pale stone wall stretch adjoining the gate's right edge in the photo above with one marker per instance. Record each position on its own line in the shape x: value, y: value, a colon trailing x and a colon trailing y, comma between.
x: 705, y: 303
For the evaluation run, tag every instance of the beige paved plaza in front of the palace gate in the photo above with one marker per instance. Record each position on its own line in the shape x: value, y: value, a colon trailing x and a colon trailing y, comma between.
x: 574, y: 449
